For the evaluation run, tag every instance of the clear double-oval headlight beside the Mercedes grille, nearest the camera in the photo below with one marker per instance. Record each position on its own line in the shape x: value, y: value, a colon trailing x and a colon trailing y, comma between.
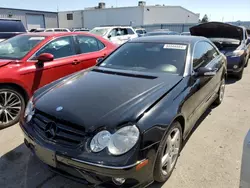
x: 119, y: 143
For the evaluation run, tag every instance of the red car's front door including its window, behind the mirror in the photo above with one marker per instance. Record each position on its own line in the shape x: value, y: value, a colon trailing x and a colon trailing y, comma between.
x: 63, y: 49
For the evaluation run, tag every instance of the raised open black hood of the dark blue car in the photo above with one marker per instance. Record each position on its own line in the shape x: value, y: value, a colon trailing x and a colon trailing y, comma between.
x: 217, y: 30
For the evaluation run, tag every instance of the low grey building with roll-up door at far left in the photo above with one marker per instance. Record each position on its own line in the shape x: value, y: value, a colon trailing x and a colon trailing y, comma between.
x: 31, y: 19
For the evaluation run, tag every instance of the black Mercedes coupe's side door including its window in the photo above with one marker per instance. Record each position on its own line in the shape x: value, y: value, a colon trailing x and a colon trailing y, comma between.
x: 200, y: 88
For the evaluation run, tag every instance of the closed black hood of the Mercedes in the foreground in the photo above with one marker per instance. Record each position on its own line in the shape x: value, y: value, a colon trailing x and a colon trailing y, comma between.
x: 104, y: 97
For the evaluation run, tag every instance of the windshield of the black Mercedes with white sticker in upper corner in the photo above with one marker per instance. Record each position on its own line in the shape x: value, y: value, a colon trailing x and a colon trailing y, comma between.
x: 148, y: 57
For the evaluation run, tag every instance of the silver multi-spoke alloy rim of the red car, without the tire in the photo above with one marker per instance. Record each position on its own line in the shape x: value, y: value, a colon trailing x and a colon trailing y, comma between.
x: 10, y: 107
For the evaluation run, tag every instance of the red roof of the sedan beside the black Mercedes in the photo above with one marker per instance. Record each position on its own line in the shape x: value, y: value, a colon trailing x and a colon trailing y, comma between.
x: 58, y: 34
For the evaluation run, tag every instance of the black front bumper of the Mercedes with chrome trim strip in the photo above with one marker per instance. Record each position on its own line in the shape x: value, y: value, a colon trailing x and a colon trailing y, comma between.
x: 88, y: 172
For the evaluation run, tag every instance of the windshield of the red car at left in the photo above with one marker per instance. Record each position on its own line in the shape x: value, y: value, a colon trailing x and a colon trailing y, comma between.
x: 17, y: 47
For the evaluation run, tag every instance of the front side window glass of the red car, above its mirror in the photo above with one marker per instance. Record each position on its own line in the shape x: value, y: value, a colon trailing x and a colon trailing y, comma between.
x: 61, y: 47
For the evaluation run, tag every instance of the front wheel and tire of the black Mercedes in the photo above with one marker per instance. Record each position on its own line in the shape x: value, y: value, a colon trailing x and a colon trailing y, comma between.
x: 168, y: 153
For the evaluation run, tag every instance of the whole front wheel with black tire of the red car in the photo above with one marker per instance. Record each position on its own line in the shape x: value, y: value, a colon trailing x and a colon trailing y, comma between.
x: 12, y: 105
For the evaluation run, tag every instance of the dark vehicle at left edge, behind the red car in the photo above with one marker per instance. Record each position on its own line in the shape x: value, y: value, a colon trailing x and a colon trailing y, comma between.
x: 10, y: 28
